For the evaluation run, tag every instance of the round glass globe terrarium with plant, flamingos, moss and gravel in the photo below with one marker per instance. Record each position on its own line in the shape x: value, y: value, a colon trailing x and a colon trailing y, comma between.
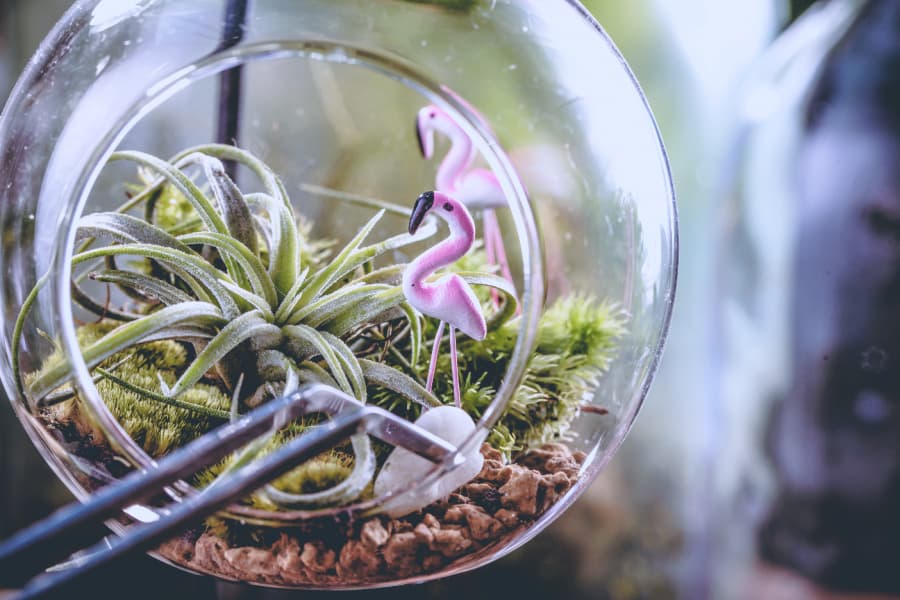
x: 457, y: 211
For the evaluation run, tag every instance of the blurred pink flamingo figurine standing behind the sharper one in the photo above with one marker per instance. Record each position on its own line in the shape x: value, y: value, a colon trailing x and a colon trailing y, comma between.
x: 476, y: 188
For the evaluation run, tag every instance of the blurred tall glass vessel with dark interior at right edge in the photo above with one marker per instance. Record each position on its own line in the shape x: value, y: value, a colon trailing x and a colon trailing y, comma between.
x: 808, y: 310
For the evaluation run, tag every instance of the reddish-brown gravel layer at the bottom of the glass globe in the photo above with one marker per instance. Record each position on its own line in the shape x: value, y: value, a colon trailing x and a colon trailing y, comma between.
x: 504, y: 498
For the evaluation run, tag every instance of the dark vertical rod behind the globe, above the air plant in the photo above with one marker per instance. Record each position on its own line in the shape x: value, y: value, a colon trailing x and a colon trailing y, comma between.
x: 230, y: 81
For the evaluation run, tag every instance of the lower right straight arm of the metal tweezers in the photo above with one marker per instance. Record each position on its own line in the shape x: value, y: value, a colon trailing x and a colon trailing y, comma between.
x: 246, y: 479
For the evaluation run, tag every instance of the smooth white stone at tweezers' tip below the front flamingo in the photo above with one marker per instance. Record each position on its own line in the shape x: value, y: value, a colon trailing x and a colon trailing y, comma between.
x: 404, y: 469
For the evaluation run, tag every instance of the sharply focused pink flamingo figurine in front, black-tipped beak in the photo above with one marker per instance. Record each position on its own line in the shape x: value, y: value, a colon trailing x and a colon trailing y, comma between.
x: 450, y: 298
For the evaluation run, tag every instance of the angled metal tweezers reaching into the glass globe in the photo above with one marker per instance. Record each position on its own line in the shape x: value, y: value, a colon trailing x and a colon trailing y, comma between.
x: 24, y: 556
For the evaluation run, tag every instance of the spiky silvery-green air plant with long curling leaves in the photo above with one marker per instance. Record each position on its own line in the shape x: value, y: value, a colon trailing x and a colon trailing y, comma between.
x: 236, y: 282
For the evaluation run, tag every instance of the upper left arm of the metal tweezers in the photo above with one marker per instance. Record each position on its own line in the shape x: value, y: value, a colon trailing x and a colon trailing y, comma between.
x: 76, y: 525
